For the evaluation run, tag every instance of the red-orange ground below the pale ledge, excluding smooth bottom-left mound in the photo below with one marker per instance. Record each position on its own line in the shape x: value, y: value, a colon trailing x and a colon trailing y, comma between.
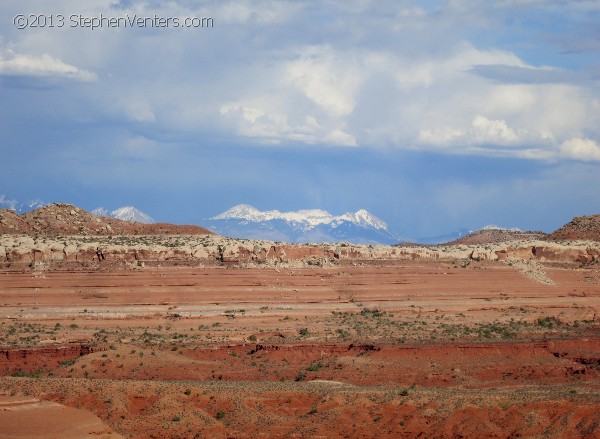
x: 389, y: 350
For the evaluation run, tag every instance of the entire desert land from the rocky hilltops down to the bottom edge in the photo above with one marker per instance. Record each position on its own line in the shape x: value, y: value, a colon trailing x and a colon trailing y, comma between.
x: 116, y: 329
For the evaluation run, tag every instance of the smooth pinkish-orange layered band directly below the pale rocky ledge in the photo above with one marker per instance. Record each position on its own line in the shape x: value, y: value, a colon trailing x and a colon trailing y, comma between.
x: 484, y: 291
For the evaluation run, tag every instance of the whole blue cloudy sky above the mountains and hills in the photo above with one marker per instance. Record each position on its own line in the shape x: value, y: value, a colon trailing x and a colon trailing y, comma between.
x: 432, y: 115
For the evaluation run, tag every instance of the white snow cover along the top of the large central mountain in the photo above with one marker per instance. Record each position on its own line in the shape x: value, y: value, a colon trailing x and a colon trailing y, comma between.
x: 310, y: 218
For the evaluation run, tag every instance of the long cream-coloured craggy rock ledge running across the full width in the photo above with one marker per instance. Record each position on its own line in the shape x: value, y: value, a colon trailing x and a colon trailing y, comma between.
x: 136, y: 251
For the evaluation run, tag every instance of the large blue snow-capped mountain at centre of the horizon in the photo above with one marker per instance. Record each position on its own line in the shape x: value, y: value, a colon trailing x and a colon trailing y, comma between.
x: 315, y: 225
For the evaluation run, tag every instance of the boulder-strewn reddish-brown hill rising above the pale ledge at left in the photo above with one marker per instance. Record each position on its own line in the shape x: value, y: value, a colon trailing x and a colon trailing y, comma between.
x: 66, y: 219
